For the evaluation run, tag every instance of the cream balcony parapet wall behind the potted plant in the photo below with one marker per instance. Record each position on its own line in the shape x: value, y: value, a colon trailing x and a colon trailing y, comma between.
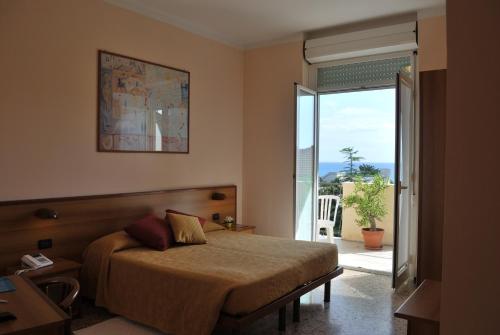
x: 350, y: 229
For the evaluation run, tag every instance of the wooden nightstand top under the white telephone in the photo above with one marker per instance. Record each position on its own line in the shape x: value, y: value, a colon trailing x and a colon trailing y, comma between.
x: 61, y: 267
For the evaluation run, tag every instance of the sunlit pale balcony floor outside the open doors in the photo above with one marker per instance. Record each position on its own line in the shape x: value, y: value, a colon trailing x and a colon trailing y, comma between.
x: 353, y: 255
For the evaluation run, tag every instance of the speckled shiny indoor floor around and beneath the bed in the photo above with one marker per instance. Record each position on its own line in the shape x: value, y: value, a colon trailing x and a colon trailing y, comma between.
x: 362, y: 303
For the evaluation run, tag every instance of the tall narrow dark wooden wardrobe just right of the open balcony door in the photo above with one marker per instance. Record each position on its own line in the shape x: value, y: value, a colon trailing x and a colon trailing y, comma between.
x: 432, y: 163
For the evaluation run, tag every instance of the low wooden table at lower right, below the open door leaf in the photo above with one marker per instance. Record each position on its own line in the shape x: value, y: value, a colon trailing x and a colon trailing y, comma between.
x: 422, y: 309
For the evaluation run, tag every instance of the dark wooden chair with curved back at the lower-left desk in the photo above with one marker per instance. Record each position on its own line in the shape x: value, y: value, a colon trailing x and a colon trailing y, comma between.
x: 63, y: 291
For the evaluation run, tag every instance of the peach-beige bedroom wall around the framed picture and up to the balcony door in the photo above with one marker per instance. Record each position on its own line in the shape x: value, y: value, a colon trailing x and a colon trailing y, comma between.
x: 48, y: 108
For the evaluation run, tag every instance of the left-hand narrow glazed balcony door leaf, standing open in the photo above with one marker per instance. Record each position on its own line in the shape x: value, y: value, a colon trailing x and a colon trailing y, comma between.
x: 305, y: 175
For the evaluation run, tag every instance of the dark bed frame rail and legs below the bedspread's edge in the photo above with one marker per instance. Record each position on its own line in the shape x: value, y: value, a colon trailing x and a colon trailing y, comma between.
x: 236, y: 323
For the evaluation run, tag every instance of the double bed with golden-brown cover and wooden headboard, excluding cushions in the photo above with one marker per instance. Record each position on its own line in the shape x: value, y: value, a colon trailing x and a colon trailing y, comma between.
x: 231, y: 281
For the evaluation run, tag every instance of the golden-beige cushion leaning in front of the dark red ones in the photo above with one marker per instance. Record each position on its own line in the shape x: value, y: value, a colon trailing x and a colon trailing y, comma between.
x: 187, y: 229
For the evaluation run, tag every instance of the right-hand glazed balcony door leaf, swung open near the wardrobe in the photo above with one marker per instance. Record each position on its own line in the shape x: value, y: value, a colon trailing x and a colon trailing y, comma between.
x: 402, y: 196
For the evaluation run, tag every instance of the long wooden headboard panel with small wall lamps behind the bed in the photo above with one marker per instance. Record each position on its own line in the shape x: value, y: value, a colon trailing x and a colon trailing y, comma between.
x: 83, y: 219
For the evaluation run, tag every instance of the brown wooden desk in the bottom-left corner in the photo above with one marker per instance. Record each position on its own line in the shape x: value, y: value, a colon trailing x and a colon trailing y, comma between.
x: 36, y: 313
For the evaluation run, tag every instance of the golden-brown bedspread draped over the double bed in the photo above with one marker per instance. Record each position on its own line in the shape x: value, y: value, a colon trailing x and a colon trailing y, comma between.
x: 183, y: 289
